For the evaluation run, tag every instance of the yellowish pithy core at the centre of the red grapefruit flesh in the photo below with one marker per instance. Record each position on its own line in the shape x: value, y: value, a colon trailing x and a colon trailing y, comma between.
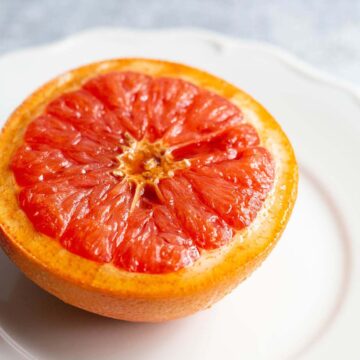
x: 145, y: 162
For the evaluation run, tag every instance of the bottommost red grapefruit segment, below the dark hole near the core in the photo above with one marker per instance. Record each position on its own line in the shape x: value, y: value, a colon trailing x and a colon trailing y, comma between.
x: 155, y: 242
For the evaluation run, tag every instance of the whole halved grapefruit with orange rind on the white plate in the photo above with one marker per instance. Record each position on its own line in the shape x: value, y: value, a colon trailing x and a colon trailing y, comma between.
x: 142, y: 190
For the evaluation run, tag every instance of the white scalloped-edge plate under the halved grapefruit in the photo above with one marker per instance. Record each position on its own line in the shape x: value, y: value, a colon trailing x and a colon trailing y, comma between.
x: 303, y: 302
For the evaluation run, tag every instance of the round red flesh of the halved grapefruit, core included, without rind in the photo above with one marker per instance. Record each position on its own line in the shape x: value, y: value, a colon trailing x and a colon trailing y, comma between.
x: 142, y: 172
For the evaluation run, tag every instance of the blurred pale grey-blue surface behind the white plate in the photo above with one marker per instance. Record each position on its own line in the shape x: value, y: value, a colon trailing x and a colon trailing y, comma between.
x: 325, y: 33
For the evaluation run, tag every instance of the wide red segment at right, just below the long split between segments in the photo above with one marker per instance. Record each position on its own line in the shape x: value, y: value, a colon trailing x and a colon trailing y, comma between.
x: 241, y: 186
